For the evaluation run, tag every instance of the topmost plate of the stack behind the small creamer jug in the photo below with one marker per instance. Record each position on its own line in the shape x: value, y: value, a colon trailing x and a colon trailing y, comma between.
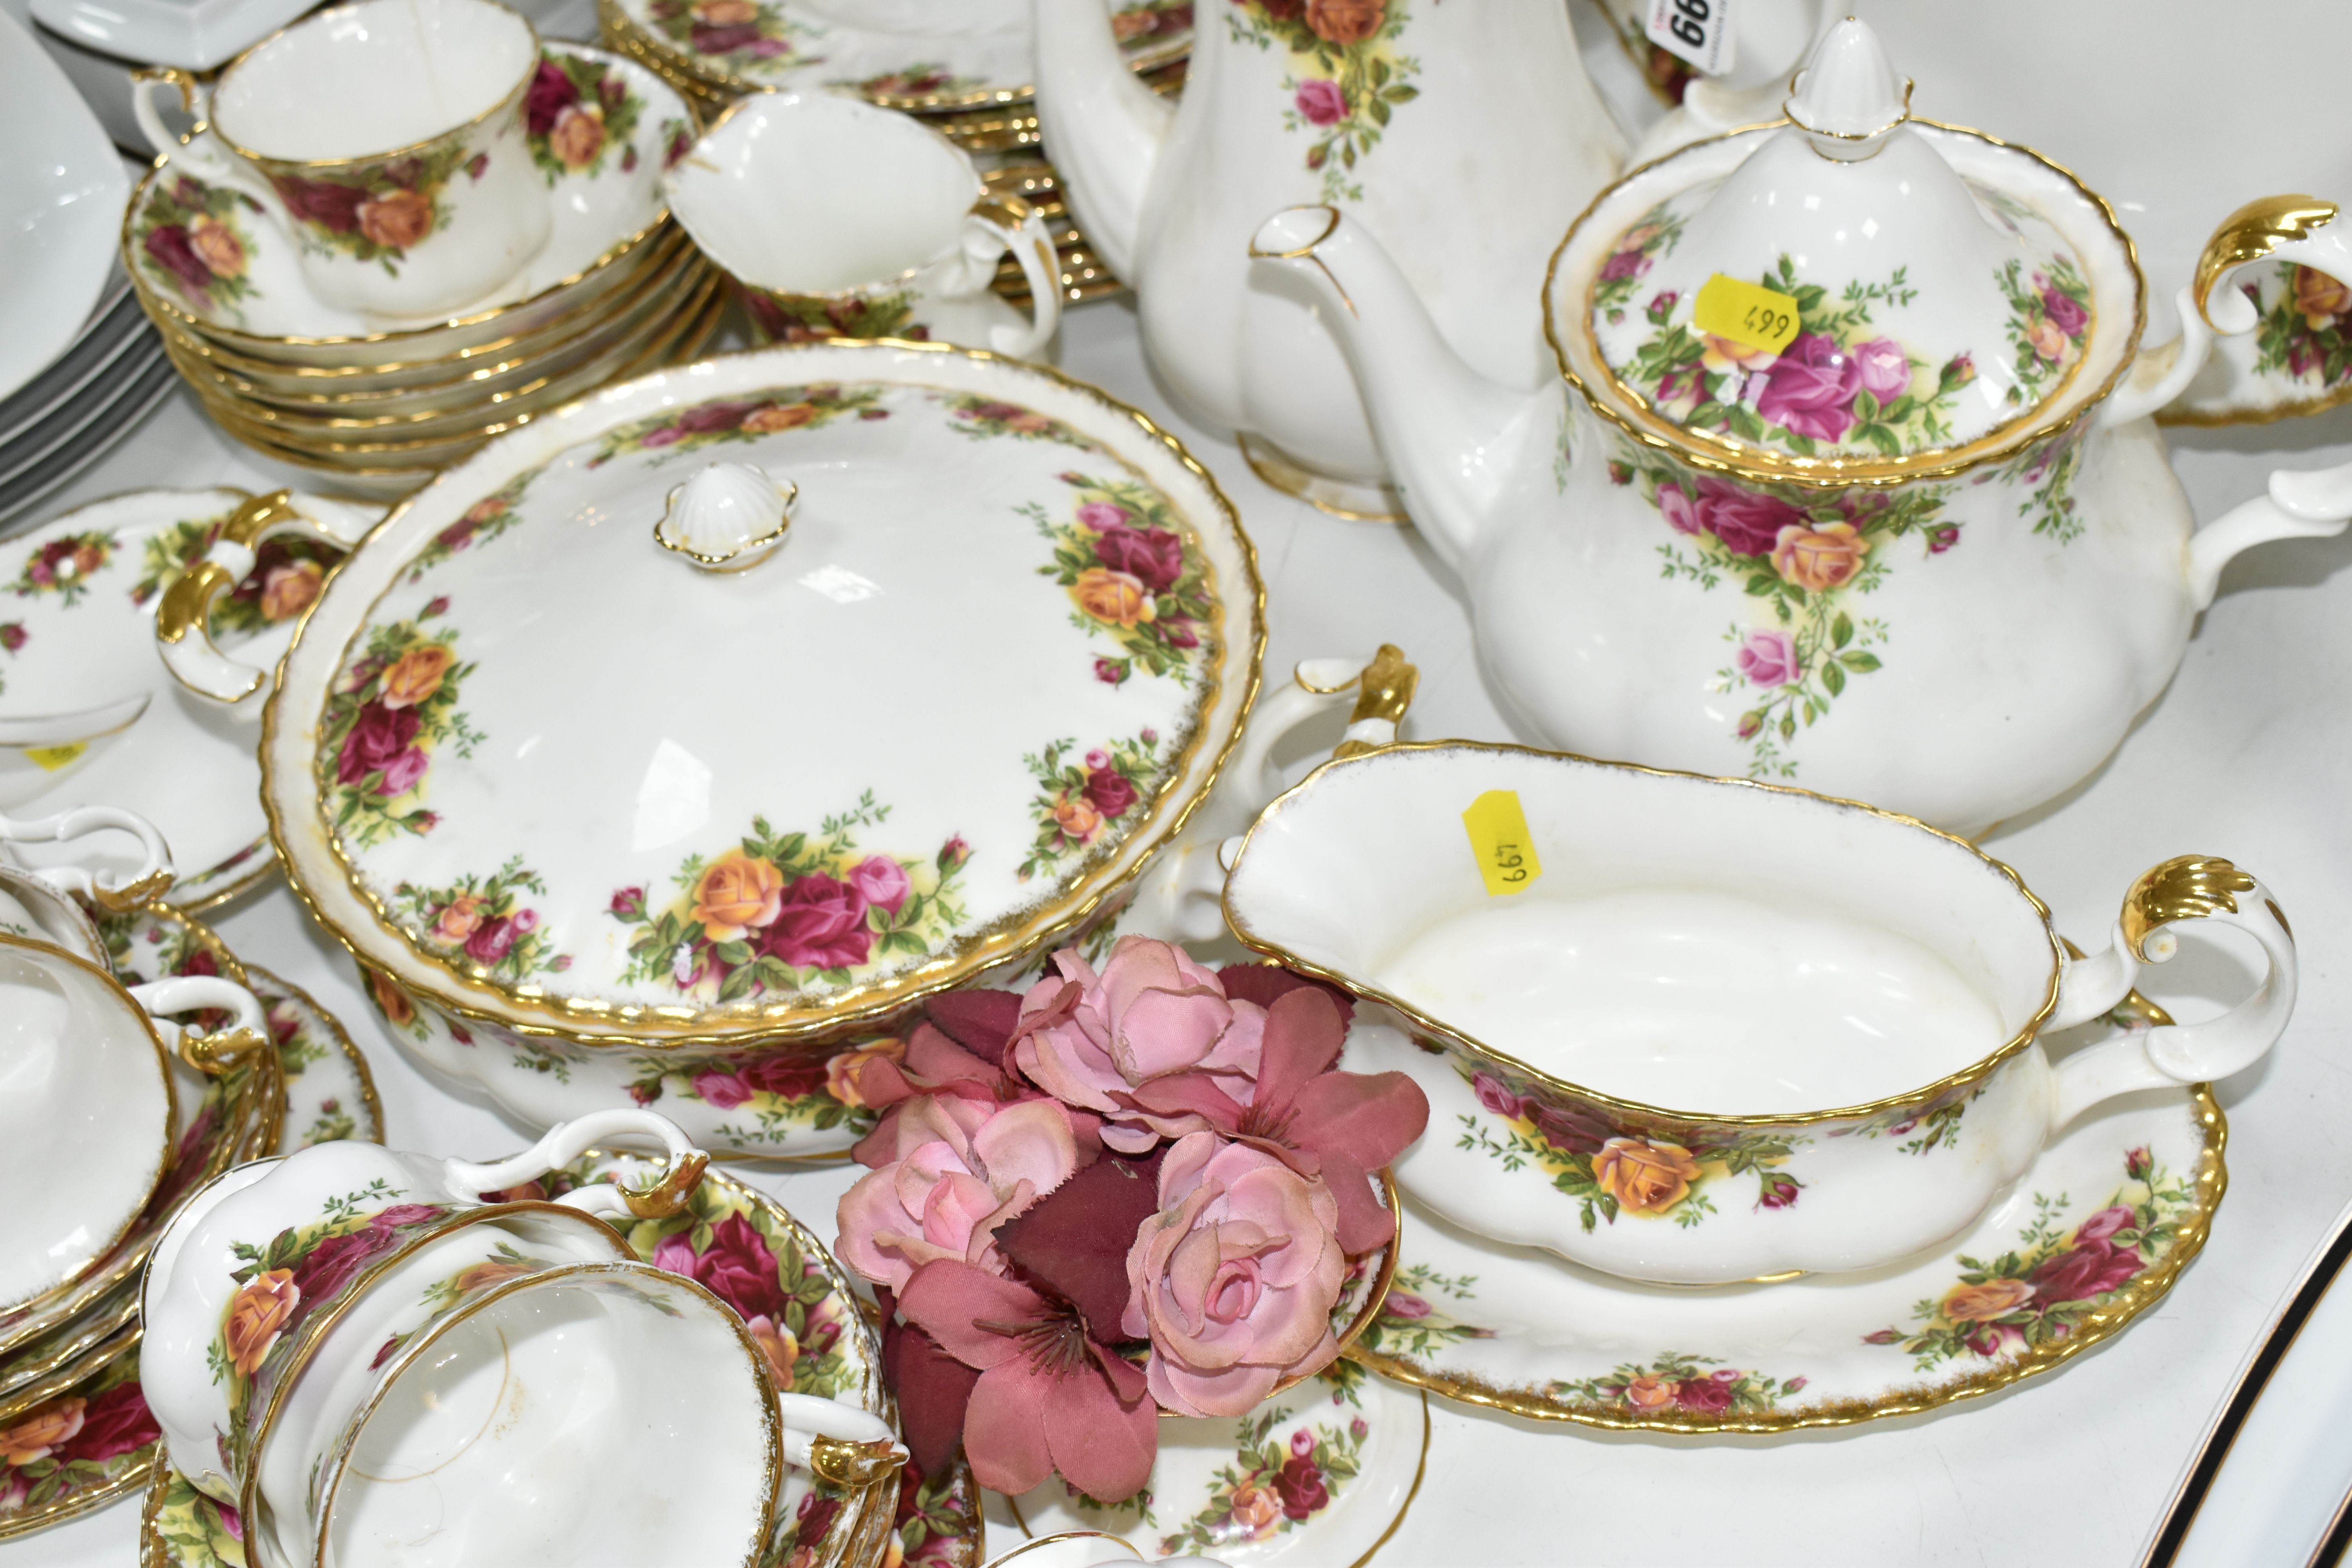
x: 902, y: 60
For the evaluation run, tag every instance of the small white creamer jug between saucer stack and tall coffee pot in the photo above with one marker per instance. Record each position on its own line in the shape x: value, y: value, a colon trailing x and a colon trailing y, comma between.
x: 841, y: 220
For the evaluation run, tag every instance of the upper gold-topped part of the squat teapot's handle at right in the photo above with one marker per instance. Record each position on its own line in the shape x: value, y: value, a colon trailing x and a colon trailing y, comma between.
x: 2271, y: 229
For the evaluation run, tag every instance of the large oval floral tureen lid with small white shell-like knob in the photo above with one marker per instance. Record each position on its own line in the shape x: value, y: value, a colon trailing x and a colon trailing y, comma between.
x: 766, y: 695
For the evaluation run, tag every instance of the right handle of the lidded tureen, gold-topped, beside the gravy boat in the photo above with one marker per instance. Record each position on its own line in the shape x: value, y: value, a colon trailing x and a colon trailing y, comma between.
x: 1184, y: 897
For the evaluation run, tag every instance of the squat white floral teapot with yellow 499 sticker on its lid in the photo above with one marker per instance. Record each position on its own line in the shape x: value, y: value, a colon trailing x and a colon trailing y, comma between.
x: 1850, y: 478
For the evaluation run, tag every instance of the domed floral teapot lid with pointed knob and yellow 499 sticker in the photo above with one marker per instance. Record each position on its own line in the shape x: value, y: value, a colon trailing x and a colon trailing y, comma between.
x: 1850, y: 293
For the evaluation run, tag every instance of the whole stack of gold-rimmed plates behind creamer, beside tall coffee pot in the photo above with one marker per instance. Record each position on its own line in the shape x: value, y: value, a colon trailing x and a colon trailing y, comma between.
x: 963, y: 74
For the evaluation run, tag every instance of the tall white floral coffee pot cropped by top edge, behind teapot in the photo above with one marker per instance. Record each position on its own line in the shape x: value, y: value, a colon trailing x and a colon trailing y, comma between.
x: 1401, y: 112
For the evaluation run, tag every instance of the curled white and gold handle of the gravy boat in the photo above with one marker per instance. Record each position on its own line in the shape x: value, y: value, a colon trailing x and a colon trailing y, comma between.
x: 2189, y: 887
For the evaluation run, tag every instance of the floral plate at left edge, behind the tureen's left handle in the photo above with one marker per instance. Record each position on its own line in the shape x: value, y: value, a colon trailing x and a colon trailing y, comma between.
x: 79, y: 631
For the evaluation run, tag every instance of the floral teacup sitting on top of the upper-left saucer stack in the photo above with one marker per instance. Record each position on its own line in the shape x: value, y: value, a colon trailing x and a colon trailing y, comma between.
x: 387, y: 142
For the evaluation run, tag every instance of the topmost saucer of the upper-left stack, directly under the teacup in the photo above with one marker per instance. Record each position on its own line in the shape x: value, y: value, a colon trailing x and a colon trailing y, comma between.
x: 239, y: 279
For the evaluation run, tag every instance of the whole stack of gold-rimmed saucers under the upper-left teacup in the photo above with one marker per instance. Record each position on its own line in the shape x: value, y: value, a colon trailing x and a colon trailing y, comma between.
x: 377, y: 410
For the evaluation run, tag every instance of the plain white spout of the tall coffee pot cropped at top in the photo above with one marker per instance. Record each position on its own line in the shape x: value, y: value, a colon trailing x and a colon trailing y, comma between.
x: 1102, y: 126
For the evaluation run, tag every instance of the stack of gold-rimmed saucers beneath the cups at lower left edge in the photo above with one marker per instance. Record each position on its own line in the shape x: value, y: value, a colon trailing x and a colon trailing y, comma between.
x: 76, y: 1421
